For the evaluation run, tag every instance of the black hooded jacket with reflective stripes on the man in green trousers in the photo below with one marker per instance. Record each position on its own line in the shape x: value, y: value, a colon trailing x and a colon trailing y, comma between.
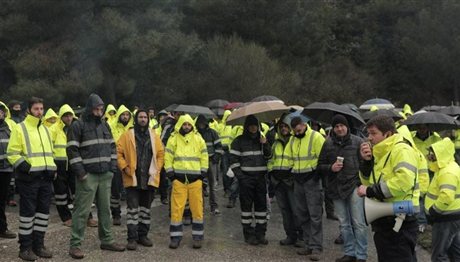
x: 90, y: 145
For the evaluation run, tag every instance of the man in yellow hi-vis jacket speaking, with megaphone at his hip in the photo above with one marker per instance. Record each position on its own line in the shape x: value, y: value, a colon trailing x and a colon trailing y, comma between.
x: 389, y: 175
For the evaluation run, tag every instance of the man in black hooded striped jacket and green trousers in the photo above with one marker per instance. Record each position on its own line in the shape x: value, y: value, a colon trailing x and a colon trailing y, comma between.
x: 92, y: 157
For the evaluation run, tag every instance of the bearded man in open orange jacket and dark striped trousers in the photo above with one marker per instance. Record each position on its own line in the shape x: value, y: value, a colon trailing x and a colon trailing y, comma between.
x: 140, y: 157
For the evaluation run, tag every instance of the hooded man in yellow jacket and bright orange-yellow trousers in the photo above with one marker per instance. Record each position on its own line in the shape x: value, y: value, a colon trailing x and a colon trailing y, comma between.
x: 186, y: 164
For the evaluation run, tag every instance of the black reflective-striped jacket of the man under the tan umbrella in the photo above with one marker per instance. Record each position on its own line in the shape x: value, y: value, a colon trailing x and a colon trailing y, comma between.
x: 248, y: 156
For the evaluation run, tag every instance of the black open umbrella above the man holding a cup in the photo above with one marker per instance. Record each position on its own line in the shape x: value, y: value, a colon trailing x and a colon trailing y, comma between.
x: 323, y: 112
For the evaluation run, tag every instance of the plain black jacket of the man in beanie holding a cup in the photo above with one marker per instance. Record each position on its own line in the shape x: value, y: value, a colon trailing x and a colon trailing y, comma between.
x: 341, y: 184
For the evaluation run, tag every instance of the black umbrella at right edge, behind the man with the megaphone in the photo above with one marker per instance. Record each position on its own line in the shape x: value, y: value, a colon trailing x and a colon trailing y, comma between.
x: 434, y: 120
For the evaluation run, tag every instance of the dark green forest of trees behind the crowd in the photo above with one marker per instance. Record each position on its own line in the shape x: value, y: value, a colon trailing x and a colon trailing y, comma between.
x: 159, y: 52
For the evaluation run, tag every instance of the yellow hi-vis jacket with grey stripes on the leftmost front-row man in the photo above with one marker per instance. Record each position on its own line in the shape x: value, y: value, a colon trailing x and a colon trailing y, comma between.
x: 30, y: 141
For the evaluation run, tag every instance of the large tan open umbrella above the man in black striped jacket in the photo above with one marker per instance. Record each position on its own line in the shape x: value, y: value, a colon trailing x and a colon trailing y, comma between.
x: 264, y: 111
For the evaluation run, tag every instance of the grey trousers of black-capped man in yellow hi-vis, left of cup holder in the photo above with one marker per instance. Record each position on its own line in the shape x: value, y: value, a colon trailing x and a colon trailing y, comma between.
x: 309, y: 212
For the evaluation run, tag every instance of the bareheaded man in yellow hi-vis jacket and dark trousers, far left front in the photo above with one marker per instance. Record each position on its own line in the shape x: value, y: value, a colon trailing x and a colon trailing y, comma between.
x: 30, y: 151
